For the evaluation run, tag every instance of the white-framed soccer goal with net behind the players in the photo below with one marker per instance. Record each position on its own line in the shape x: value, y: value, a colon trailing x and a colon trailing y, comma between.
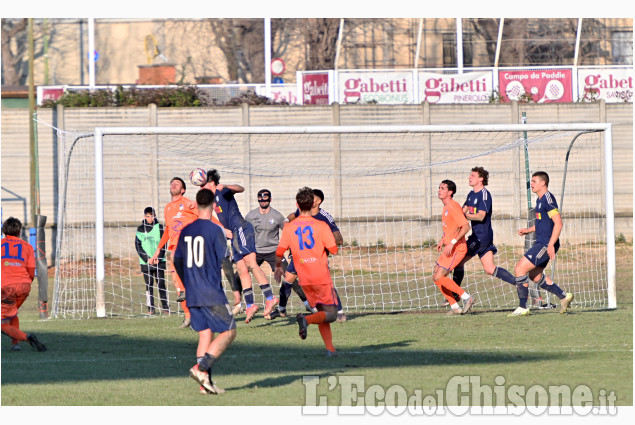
x: 380, y: 185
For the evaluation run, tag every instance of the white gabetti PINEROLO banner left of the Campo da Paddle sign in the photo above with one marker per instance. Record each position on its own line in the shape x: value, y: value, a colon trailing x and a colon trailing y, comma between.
x: 471, y: 87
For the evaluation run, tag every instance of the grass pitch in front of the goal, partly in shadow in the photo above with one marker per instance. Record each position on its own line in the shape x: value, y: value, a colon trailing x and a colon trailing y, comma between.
x: 145, y: 361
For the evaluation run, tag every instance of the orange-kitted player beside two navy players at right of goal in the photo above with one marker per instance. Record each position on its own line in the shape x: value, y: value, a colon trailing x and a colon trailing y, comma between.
x: 452, y: 247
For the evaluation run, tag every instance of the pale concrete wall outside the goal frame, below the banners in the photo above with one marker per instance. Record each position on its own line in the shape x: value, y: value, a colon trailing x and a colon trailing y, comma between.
x: 16, y: 161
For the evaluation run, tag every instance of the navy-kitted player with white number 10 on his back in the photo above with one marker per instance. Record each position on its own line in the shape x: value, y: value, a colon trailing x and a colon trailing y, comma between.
x: 197, y: 259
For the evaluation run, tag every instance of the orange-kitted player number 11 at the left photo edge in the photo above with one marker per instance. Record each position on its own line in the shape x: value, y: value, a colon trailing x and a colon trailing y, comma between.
x: 18, y: 271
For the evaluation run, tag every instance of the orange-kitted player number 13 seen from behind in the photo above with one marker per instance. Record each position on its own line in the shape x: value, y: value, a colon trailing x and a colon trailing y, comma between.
x: 310, y: 240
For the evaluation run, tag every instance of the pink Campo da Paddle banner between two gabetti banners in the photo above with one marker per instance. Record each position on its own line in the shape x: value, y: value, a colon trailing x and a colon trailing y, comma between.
x: 543, y: 86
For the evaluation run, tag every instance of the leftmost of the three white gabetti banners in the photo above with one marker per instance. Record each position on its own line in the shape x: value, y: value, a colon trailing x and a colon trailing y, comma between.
x: 375, y: 87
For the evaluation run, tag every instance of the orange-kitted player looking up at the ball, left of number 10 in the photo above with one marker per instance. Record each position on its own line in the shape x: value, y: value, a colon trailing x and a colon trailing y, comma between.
x: 178, y: 213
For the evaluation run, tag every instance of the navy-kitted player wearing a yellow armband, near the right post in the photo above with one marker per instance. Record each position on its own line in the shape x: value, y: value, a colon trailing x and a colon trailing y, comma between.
x: 548, y: 226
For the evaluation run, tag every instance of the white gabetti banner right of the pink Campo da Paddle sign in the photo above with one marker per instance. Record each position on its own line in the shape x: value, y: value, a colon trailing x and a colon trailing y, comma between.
x: 612, y: 85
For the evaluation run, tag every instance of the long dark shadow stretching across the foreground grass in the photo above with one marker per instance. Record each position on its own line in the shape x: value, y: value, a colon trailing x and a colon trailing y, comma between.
x: 114, y: 357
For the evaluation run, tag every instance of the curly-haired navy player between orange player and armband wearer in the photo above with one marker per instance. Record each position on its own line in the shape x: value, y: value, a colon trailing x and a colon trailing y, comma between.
x: 478, y: 210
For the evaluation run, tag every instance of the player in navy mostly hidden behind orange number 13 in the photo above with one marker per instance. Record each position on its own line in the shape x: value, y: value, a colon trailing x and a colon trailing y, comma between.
x: 290, y: 275
